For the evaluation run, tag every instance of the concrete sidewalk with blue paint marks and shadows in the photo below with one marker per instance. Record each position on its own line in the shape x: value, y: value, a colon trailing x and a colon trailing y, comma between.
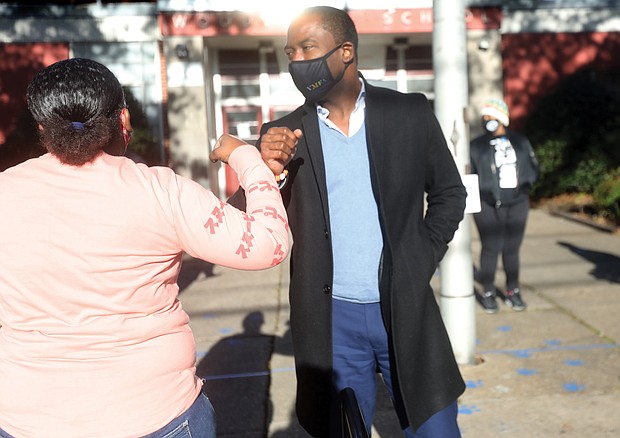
x: 551, y: 370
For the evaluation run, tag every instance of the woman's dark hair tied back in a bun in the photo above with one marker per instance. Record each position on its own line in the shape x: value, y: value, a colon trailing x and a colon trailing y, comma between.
x: 77, y: 103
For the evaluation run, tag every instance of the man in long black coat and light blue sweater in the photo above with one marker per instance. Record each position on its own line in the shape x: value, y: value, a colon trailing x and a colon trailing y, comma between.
x: 356, y: 161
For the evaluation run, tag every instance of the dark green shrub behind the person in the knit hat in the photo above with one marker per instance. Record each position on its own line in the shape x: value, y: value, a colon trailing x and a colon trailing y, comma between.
x: 575, y: 131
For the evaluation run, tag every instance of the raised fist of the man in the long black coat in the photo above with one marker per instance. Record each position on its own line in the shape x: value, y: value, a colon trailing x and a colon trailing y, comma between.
x: 278, y: 147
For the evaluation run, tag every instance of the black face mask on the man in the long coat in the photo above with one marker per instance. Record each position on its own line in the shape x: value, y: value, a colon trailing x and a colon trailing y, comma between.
x: 313, y: 78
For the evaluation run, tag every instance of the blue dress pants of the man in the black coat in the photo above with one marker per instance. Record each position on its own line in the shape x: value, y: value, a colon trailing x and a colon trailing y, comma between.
x: 360, y: 347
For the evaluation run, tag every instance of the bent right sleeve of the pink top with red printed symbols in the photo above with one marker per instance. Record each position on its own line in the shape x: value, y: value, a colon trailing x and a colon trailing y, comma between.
x: 215, y: 231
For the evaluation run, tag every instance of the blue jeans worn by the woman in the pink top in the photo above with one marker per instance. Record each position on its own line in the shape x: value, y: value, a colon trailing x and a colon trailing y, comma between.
x: 197, y: 422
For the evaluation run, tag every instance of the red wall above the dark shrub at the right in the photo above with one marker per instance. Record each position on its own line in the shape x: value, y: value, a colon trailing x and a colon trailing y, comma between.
x: 534, y: 63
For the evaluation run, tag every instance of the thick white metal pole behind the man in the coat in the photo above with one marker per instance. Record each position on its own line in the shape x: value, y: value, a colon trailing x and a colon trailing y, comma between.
x: 451, y: 98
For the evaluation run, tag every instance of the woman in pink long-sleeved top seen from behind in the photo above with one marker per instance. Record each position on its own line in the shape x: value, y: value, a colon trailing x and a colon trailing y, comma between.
x: 94, y: 341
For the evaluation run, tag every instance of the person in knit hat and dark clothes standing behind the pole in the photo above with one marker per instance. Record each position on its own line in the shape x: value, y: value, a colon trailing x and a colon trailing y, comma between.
x: 507, y: 168
